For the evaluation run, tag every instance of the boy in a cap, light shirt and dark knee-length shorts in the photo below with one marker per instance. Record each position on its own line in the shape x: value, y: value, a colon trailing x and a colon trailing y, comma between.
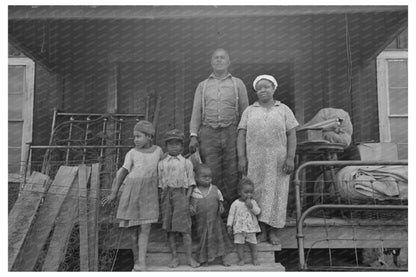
x: 176, y: 179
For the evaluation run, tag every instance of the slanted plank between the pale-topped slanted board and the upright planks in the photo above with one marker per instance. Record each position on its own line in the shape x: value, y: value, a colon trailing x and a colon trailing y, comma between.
x: 64, y: 224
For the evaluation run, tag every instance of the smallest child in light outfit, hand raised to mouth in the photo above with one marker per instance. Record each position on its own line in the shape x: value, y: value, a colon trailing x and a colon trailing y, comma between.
x: 242, y: 221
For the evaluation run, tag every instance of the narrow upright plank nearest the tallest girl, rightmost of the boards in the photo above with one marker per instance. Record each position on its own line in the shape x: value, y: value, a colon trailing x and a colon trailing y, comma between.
x: 93, y: 217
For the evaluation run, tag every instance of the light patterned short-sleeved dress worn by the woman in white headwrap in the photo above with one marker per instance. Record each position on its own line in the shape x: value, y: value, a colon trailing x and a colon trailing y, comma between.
x: 266, y: 147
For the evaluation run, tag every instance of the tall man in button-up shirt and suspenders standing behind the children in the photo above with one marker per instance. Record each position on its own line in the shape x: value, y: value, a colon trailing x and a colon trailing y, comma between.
x: 218, y: 104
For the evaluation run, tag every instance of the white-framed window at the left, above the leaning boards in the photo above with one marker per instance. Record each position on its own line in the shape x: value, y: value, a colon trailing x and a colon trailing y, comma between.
x: 20, y: 114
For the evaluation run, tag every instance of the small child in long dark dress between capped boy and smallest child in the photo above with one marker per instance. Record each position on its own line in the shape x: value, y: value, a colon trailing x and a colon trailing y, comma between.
x: 207, y: 206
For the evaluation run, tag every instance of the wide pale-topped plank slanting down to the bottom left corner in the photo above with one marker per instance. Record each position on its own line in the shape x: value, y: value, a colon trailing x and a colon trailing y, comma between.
x: 45, y: 219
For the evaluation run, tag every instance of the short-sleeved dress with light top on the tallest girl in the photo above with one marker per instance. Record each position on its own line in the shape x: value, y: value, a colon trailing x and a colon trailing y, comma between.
x: 139, y: 200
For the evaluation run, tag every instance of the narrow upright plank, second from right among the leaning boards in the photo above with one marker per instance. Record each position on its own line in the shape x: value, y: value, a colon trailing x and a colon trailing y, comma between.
x: 83, y: 218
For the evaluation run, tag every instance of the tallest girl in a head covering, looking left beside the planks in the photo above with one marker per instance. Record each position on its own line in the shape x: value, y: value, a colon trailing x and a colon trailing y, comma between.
x: 139, y: 205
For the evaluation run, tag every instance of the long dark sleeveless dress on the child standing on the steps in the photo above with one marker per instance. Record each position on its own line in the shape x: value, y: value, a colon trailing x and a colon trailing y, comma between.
x: 212, y: 234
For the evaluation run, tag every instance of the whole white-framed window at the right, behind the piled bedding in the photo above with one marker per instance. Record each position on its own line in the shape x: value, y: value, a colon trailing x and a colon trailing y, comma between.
x: 392, y: 75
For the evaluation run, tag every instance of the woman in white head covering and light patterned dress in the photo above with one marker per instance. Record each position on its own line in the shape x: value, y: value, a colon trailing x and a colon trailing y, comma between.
x: 266, y: 146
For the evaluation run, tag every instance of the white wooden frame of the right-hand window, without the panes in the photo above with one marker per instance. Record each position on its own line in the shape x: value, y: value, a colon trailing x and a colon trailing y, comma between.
x: 383, y: 91
